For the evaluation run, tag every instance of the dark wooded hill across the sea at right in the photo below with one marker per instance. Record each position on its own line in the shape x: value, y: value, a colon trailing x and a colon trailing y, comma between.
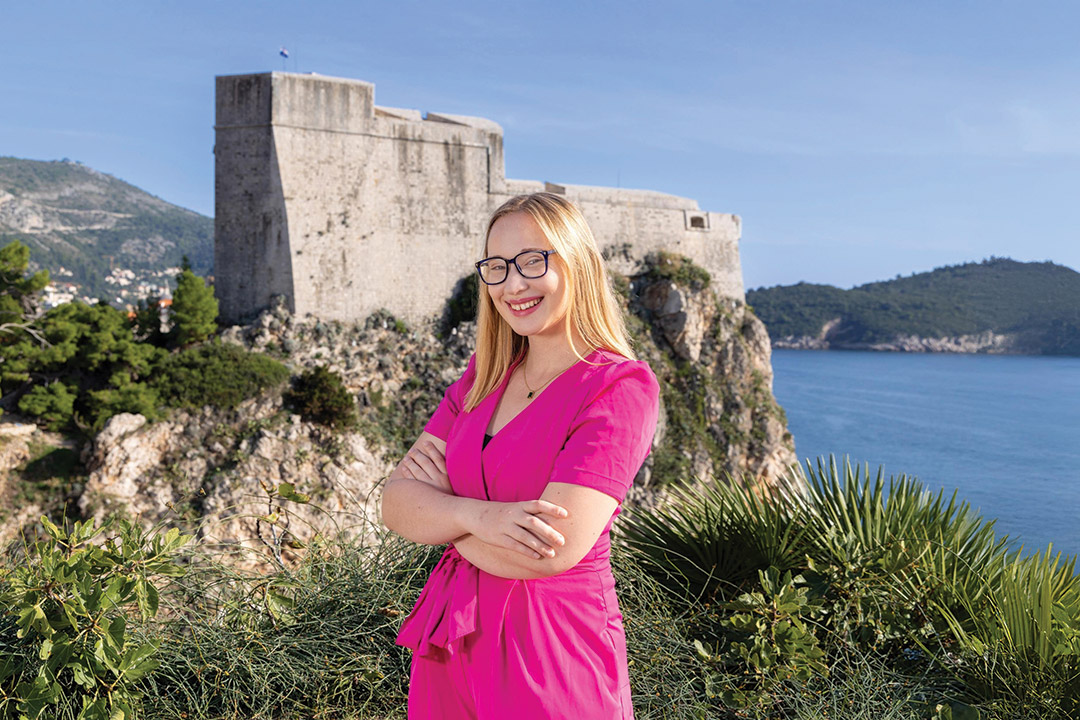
x: 994, y: 306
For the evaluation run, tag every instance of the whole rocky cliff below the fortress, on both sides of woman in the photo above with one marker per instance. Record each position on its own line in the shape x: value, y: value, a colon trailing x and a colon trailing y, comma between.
x: 223, y: 473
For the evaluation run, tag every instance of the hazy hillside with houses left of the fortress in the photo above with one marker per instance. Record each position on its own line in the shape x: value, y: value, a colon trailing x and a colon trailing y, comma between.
x: 89, y: 223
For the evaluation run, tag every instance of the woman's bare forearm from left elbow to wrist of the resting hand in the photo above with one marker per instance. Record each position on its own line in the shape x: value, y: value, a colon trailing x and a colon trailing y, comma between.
x: 424, y: 513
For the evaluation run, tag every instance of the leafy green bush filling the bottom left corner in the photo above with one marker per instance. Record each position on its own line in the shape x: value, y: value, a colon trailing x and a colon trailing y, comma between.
x: 70, y: 650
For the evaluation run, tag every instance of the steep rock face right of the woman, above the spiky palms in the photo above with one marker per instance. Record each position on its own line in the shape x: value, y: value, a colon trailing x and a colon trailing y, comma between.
x: 713, y: 358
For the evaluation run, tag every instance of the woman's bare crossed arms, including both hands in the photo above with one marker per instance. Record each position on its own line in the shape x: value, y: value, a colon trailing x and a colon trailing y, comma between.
x: 516, y: 540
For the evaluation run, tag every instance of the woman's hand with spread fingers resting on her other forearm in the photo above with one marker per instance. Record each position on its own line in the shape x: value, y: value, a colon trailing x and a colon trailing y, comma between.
x: 517, y: 527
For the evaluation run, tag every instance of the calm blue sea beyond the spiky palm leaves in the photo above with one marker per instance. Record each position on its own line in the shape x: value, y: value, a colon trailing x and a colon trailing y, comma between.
x: 1003, y: 430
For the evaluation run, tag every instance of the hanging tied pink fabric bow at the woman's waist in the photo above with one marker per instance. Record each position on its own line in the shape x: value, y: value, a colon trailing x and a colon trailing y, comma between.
x: 447, y: 609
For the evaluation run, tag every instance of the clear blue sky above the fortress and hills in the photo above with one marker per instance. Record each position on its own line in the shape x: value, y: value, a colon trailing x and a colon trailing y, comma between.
x: 858, y: 141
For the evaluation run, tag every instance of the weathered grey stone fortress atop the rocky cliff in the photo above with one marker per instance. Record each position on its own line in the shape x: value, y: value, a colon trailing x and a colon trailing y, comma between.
x: 346, y: 208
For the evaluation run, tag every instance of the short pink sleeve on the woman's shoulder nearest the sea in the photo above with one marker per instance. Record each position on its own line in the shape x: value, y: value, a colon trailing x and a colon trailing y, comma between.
x: 613, y: 433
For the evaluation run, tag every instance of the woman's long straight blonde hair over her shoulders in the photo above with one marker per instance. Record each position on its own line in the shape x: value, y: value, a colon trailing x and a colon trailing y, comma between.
x: 593, y: 311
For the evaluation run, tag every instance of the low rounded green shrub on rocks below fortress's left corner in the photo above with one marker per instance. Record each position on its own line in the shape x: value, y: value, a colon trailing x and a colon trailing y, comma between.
x: 218, y: 375
